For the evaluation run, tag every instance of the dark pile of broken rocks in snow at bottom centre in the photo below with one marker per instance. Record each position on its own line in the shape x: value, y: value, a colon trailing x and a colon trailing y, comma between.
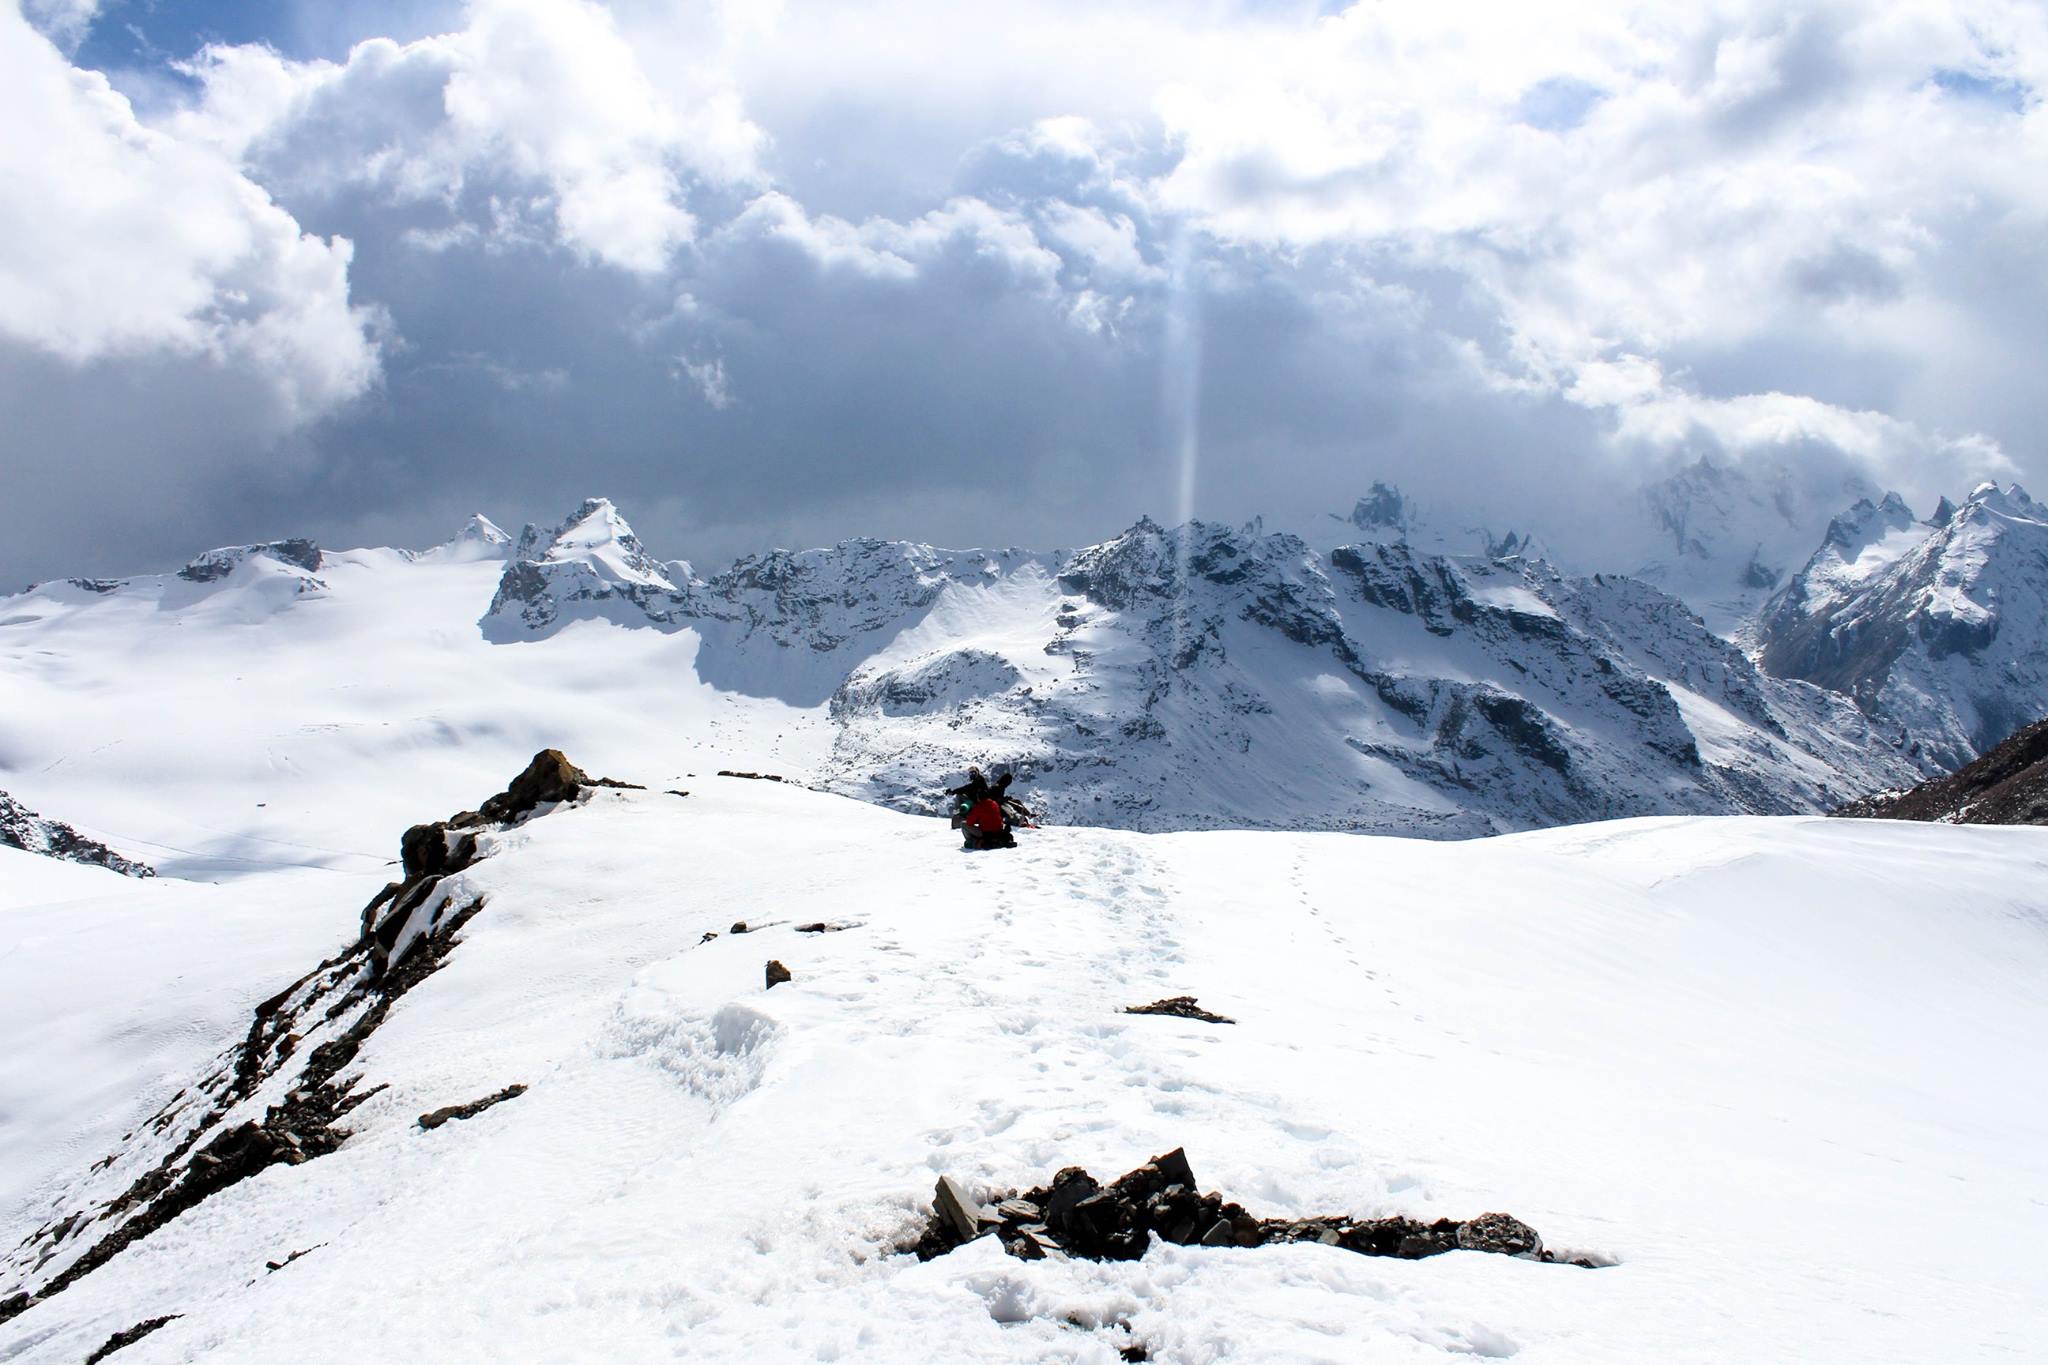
x: 1076, y: 1217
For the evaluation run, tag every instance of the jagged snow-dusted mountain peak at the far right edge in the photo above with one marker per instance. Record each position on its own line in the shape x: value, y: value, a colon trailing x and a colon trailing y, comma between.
x: 1936, y: 627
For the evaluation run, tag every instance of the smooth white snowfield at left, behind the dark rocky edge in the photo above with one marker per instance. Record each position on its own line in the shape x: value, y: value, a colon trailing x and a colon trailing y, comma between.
x: 282, y: 715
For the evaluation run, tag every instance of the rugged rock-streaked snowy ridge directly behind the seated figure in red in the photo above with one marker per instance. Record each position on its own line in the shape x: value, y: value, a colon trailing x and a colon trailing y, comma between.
x: 1232, y: 678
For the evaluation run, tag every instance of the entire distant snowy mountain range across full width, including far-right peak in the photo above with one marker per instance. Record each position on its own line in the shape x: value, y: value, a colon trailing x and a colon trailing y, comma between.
x: 1363, y: 676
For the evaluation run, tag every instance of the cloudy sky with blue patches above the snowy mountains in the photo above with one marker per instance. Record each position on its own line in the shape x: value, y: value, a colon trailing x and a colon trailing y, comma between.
x: 781, y: 273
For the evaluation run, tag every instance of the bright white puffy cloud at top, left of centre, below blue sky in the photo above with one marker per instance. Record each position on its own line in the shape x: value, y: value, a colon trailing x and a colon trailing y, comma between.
x: 531, y: 105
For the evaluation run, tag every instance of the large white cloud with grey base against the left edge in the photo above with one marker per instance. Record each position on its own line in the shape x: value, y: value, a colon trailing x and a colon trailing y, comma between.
x: 163, y: 320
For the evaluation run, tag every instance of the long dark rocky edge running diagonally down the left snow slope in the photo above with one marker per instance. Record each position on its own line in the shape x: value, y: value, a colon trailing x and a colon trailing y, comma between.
x: 407, y: 934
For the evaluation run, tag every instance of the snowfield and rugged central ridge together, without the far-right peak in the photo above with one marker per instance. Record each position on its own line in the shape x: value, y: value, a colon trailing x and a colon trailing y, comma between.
x: 1170, y: 678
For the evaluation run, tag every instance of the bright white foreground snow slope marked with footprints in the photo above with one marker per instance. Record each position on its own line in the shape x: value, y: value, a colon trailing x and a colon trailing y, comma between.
x: 1764, y: 1065
